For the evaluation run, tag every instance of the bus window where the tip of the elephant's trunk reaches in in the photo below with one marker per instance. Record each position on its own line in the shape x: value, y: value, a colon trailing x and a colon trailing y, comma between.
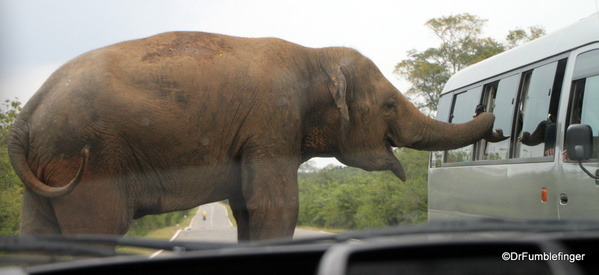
x: 499, y: 97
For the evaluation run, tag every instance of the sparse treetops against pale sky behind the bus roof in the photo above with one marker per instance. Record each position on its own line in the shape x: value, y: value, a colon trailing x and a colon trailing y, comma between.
x: 461, y: 46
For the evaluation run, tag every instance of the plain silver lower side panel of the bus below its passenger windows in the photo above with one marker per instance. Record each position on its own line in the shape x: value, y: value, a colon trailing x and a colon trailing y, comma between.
x: 485, y: 191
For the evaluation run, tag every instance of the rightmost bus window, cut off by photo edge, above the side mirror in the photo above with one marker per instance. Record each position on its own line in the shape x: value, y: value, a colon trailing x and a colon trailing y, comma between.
x: 585, y: 94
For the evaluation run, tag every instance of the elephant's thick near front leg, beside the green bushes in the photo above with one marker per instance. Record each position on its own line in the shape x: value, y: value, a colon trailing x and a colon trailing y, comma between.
x: 271, y: 194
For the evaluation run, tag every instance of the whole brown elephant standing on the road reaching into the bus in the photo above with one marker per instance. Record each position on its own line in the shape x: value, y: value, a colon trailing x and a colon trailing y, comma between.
x: 179, y: 119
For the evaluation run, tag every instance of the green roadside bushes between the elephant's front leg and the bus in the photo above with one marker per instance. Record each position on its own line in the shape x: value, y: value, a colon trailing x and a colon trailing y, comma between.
x: 351, y: 198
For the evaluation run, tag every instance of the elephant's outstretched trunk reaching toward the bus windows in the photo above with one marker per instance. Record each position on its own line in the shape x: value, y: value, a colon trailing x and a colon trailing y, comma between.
x: 434, y: 135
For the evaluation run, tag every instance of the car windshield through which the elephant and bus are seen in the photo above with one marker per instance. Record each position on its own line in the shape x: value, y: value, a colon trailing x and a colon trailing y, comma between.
x: 223, y: 121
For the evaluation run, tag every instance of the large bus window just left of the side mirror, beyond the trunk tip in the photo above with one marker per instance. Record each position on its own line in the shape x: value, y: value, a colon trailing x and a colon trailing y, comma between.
x: 537, y: 111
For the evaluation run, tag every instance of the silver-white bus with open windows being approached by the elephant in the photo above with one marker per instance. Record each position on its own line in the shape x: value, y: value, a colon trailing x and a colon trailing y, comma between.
x: 538, y: 92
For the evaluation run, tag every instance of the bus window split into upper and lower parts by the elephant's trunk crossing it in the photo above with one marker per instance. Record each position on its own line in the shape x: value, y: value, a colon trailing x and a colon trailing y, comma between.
x: 462, y: 111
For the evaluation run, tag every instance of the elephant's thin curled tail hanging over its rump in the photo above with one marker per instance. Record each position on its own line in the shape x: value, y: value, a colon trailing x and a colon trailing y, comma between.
x: 17, y: 150
